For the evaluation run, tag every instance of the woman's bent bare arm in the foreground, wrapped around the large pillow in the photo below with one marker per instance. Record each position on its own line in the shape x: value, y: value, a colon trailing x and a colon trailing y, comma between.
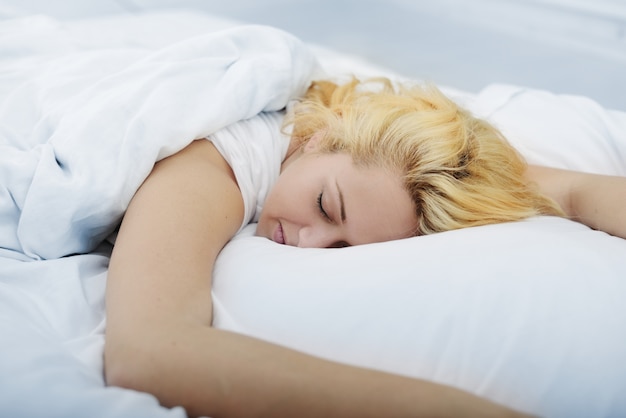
x: 159, y: 339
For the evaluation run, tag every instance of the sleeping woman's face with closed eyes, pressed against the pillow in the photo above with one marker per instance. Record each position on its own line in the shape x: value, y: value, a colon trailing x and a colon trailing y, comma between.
x: 323, y: 200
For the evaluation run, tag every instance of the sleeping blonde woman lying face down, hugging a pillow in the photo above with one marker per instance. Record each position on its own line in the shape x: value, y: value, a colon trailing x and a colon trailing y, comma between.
x: 349, y: 164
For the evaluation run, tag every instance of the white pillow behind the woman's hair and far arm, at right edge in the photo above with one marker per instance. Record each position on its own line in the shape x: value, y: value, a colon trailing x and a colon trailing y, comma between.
x: 563, y: 131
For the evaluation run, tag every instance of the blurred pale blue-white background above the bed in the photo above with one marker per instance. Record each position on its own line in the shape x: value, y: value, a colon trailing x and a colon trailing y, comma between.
x: 567, y: 46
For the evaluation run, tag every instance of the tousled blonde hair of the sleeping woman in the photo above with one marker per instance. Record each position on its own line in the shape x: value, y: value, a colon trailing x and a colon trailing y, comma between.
x: 458, y: 169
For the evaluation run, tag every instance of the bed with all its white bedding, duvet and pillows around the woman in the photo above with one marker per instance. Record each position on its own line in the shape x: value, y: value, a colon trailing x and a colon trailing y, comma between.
x: 531, y: 314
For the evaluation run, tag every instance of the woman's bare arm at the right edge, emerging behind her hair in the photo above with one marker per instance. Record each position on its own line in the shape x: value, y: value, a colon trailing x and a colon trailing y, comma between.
x: 598, y: 201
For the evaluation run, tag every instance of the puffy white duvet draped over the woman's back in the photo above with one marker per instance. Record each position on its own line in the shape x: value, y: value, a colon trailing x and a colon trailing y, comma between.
x: 97, y: 123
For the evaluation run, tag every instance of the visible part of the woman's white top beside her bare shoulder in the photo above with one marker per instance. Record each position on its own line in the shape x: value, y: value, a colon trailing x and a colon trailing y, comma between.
x: 255, y: 149
